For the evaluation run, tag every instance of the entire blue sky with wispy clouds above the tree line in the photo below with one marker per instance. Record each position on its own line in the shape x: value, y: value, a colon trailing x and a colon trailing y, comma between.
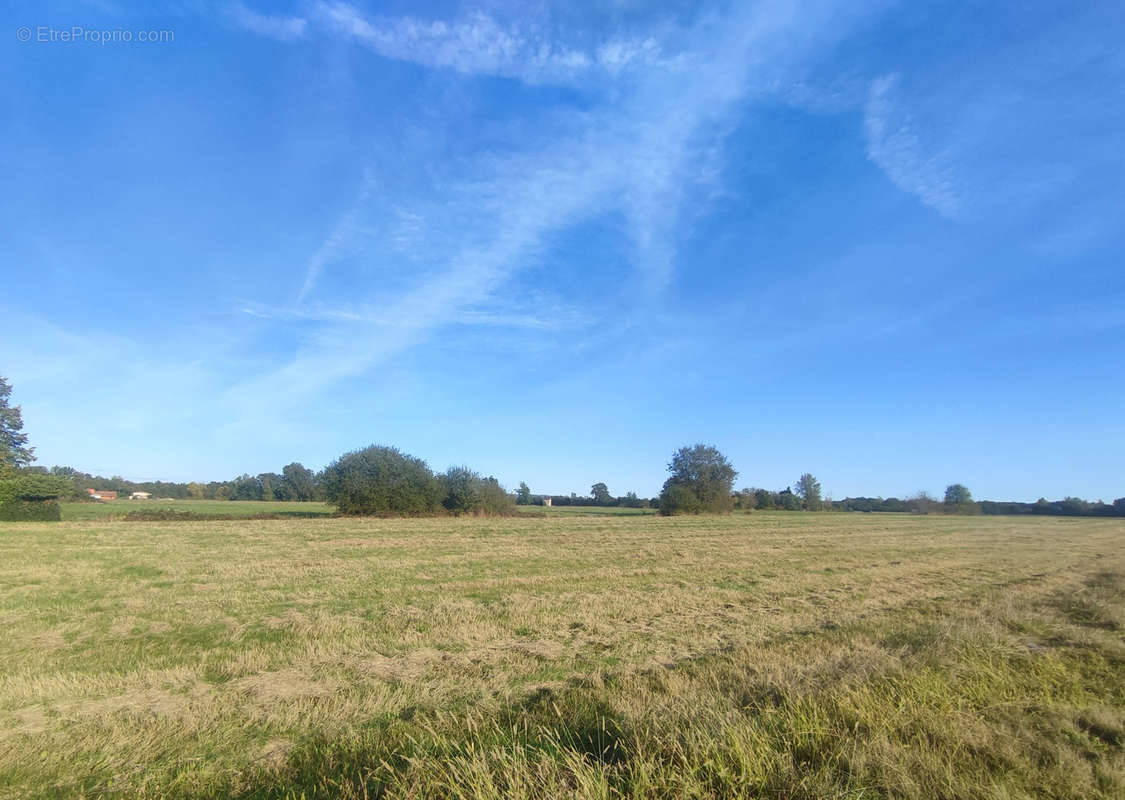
x: 877, y: 242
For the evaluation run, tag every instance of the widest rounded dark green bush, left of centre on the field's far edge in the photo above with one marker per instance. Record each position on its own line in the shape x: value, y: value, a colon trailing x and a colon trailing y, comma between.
x: 382, y: 481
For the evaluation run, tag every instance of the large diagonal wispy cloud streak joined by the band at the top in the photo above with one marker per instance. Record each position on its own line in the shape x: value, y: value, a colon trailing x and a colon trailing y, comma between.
x: 644, y: 155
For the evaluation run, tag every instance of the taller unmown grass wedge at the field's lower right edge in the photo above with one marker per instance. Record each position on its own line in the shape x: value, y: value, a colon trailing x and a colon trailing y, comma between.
x: 962, y: 705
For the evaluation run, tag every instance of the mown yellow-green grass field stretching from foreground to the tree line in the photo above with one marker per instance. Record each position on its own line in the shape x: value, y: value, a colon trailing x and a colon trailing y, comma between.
x: 556, y: 657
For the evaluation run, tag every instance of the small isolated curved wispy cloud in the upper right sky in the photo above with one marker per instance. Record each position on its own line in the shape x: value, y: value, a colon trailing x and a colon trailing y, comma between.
x: 895, y: 145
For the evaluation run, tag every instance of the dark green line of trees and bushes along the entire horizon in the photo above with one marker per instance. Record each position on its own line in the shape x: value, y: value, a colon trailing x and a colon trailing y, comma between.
x: 383, y: 480
